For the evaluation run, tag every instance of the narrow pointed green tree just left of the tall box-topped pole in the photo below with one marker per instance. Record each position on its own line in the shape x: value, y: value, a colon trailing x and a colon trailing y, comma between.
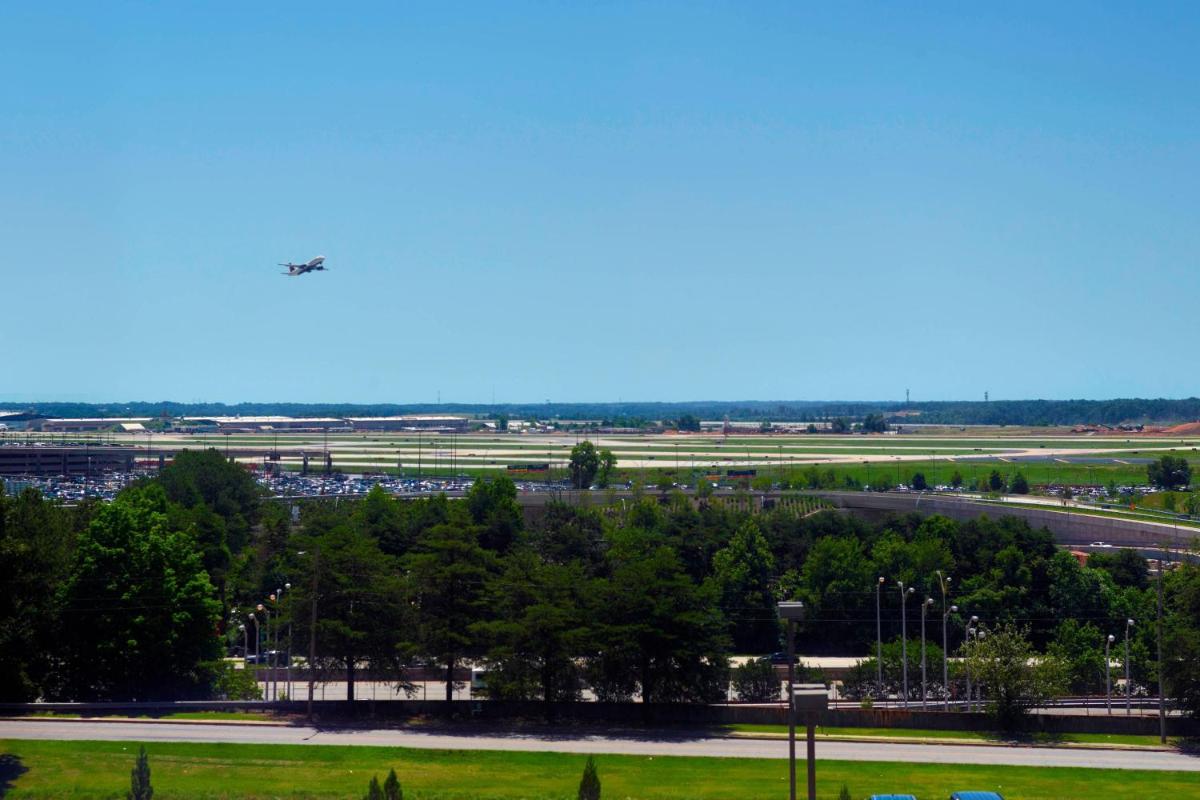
x: 745, y: 573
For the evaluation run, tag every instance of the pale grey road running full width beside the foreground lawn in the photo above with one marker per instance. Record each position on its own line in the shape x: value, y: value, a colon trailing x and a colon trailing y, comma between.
x: 575, y: 742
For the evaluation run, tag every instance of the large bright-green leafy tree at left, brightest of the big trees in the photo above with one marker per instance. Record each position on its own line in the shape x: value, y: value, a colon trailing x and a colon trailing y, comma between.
x: 139, y: 612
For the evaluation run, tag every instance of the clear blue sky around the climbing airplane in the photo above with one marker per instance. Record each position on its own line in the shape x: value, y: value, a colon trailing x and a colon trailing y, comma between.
x: 591, y: 202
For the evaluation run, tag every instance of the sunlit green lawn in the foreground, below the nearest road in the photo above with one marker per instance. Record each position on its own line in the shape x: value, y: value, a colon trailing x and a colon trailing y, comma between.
x: 95, y: 769
